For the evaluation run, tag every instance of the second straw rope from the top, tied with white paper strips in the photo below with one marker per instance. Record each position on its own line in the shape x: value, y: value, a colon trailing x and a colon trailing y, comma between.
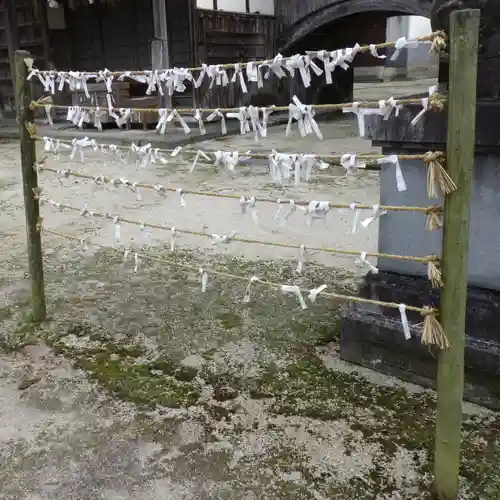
x: 436, y: 102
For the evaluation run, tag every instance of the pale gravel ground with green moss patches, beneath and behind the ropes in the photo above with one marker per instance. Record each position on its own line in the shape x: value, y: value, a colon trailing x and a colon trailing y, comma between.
x: 141, y: 386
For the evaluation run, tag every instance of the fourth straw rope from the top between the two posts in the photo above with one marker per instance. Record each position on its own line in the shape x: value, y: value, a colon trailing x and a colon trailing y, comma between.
x: 433, y: 209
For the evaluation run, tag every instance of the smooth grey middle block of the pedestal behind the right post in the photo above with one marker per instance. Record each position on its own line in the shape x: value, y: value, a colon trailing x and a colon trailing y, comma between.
x: 404, y: 233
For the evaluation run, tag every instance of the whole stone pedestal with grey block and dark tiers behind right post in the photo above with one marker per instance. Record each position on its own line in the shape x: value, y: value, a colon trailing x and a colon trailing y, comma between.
x: 372, y: 336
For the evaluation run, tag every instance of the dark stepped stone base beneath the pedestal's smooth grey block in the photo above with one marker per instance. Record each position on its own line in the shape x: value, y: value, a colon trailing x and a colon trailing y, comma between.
x: 373, y: 337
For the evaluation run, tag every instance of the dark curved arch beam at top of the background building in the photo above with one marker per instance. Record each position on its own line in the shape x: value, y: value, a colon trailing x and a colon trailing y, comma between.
x: 300, y: 18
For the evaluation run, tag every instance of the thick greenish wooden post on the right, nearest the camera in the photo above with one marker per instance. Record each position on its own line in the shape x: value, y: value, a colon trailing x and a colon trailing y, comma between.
x: 464, y: 34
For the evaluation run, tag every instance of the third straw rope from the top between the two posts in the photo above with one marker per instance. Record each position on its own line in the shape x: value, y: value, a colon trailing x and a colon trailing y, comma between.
x: 332, y: 158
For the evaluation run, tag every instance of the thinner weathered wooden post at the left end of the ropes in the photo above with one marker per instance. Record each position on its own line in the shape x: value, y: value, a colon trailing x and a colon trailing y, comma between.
x: 25, y: 118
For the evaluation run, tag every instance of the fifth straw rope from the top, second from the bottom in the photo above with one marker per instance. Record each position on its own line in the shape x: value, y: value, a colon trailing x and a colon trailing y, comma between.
x: 106, y: 216
